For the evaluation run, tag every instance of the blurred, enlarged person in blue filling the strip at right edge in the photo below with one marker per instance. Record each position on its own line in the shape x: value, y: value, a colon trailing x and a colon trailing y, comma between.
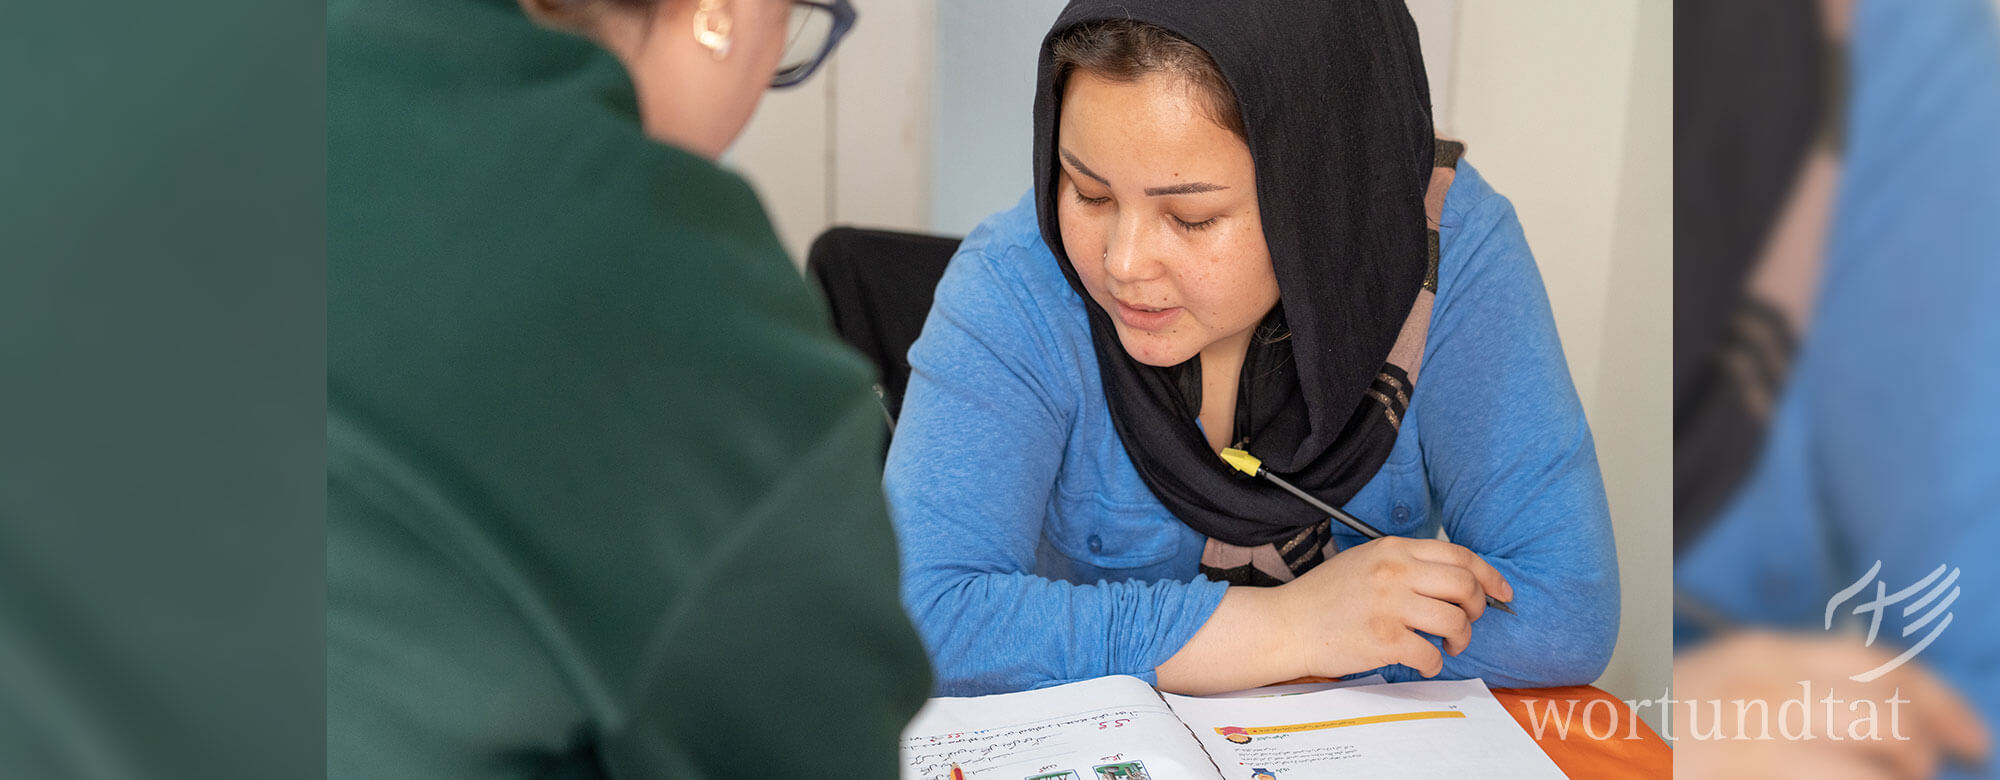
x: 1837, y: 435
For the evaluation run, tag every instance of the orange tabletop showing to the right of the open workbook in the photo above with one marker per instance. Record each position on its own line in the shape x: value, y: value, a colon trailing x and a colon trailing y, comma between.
x: 1605, y: 741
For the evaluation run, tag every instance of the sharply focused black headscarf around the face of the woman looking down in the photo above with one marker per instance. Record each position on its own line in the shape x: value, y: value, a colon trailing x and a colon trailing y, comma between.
x: 1337, y: 111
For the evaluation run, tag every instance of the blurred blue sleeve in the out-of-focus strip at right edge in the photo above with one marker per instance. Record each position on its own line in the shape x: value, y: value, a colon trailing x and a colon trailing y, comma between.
x: 1887, y: 441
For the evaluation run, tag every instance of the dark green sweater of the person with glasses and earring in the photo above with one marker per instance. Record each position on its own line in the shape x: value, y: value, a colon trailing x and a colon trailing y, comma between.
x: 603, y: 489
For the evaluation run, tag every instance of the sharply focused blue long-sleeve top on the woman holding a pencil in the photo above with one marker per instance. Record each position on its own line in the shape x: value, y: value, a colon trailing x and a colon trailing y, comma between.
x: 1035, y: 555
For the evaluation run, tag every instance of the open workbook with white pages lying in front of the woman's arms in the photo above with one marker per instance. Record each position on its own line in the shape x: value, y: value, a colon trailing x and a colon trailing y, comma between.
x: 1121, y: 729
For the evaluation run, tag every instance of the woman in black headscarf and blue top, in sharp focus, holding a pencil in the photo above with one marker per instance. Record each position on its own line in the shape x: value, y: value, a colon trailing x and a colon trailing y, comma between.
x: 1245, y: 235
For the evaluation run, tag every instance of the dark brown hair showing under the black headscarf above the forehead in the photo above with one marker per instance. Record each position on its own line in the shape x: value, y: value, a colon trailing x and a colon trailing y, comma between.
x: 1127, y: 51
